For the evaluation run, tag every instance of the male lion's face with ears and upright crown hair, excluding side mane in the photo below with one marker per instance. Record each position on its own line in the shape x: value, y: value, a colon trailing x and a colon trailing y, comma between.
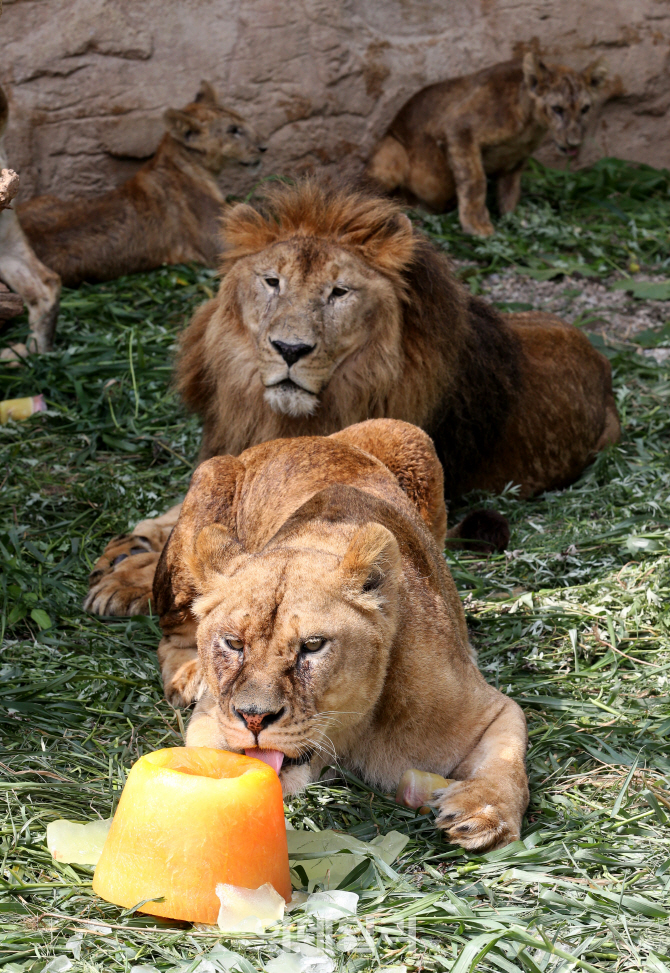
x: 310, y: 301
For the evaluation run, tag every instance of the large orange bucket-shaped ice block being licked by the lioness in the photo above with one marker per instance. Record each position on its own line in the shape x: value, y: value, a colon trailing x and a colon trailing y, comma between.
x: 189, y: 818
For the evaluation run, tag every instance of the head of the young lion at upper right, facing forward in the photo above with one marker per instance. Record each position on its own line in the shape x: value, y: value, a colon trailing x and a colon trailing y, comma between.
x: 563, y: 99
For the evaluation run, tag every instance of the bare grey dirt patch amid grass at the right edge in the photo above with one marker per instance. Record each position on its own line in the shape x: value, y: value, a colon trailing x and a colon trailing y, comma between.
x: 590, y: 303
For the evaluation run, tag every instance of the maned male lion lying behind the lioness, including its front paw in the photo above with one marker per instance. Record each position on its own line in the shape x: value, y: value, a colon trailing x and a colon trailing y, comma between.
x: 332, y: 310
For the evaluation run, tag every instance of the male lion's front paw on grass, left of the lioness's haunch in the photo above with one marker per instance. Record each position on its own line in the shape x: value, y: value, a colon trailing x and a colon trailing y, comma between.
x: 122, y: 579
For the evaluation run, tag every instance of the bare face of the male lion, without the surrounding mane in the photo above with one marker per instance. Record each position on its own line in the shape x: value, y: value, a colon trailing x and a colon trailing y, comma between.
x: 309, y: 307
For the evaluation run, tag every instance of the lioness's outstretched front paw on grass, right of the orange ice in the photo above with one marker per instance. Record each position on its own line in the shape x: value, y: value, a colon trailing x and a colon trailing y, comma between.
x: 473, y: 815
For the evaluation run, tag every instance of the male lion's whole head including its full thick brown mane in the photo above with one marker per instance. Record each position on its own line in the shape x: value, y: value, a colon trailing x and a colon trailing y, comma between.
x: 330, y: 306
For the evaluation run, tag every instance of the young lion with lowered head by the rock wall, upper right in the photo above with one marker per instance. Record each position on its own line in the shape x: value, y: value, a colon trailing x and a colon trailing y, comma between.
x: 450, y: 136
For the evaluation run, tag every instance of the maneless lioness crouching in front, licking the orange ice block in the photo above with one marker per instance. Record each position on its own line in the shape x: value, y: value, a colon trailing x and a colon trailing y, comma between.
x: 306, y: 605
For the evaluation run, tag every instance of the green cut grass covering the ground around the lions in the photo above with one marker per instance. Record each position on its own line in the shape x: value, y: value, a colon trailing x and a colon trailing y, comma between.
x: 573, y: 622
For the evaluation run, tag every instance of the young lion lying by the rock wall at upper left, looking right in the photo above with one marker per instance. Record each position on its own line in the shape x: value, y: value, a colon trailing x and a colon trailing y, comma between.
x: 168, y: 212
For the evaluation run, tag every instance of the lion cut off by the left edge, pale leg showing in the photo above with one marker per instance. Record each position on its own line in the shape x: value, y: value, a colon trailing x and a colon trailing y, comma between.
x: 21, y: 270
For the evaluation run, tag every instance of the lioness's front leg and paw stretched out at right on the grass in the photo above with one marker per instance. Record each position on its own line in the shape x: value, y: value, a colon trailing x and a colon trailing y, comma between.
x: 483, y: 809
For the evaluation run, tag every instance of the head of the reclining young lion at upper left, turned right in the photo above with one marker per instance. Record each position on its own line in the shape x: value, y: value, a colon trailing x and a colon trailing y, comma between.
x: 217, y: 134
